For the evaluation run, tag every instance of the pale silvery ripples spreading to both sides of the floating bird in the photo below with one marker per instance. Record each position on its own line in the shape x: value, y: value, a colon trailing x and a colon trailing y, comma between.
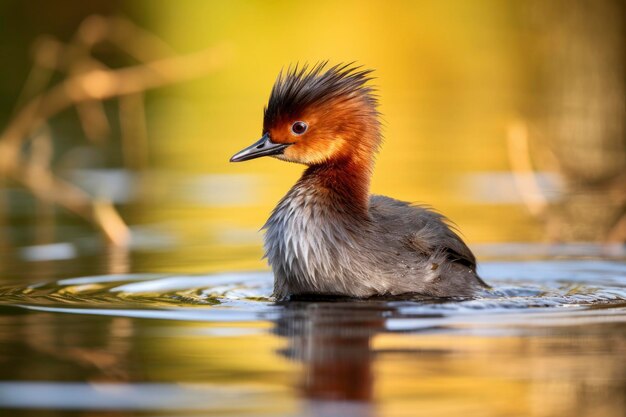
x: 559, y: 290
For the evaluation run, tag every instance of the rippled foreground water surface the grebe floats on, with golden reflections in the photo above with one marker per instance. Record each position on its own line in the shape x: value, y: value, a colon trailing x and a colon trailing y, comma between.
x: 548, y: 340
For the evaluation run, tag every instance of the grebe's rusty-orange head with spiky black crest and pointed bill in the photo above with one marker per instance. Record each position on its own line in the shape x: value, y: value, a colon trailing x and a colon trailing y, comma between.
x: 319, y: 115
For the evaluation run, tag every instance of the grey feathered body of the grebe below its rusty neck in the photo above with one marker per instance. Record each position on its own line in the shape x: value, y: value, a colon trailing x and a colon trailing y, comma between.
x: 314, y: 246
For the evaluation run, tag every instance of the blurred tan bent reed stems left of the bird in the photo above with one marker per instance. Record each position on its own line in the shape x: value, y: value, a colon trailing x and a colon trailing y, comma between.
x: 86, y: 84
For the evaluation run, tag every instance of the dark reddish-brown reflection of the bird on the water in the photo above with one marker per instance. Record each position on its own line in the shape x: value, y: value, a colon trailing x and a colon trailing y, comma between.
x: 334, y: 342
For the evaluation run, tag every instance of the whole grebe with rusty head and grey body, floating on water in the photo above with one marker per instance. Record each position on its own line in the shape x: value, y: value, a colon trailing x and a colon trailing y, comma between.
x: 328, y: 235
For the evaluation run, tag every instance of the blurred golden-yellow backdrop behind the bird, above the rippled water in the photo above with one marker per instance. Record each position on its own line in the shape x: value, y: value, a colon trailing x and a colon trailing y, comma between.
x: 476, y: 113
